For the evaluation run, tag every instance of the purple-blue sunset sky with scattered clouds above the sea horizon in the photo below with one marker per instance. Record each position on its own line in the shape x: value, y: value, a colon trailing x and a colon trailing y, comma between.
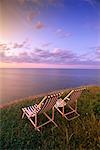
x: 50, y: 34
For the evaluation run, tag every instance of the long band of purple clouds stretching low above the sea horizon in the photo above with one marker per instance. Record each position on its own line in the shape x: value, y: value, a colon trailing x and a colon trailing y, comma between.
x: 55, y: 56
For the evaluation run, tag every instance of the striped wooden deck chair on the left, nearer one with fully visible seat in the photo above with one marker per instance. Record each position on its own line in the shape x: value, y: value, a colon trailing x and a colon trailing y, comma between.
x: 47, y: 103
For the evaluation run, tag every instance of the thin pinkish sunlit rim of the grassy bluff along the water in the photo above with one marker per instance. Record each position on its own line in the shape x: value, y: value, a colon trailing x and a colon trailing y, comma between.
x: 40, y: 95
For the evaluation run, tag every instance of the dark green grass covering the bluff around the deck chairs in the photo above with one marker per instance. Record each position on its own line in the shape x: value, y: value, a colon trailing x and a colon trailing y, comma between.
x: 82, y: 133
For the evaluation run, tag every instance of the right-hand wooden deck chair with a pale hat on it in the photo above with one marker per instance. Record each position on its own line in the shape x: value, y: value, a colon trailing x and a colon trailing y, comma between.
x: 68, y: 106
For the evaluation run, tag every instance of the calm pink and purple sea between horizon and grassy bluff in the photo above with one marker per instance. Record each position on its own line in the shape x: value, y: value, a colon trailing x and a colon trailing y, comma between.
x: 20, y: 83
